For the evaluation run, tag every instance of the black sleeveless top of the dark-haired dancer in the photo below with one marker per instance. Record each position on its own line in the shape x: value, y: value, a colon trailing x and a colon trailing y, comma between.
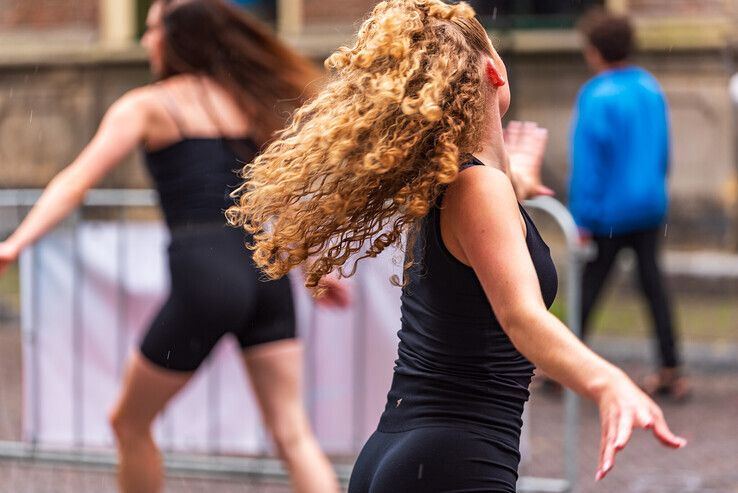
x: 195, y: 176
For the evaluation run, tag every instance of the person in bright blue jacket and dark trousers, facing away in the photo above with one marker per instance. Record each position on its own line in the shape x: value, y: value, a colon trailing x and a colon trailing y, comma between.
x: 618, y: 185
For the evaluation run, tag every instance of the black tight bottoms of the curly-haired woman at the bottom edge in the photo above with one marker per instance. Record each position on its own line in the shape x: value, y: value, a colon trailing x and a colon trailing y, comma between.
x: 434, y: 460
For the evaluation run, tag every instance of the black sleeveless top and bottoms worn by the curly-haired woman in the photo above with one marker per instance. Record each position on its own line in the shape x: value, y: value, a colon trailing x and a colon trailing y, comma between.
x: 456, y: 369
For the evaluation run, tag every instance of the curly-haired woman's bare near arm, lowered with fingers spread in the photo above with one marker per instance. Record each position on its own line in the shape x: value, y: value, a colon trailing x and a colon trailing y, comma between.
x: 483, y: 221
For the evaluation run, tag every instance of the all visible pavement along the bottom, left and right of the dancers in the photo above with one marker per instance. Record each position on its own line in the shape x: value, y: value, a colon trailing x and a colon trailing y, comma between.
x: 709, y: 420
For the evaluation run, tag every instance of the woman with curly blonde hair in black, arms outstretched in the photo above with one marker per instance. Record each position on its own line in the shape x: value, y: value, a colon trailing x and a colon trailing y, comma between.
x: 407, y: 138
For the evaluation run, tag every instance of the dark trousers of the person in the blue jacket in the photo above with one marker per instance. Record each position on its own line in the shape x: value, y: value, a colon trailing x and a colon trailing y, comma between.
x: 645, y: 245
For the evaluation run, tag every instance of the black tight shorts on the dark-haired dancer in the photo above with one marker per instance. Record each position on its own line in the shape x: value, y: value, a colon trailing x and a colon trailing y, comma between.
x: 215, y: 290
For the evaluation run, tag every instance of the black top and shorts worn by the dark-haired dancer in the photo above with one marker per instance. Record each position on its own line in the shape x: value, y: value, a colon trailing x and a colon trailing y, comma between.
x: 215, y: 287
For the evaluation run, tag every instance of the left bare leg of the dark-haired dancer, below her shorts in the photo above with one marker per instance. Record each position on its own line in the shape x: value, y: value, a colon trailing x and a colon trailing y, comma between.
x: 146, y: 390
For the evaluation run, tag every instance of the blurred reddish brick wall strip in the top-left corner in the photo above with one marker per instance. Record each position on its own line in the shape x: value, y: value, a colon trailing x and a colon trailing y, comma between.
x: 47, y: 14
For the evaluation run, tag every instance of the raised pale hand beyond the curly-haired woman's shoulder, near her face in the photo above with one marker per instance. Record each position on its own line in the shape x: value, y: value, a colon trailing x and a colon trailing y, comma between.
x: 525, y: 143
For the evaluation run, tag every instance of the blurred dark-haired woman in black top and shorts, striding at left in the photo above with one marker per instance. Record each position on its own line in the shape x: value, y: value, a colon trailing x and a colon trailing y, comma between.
x: 225, y: 86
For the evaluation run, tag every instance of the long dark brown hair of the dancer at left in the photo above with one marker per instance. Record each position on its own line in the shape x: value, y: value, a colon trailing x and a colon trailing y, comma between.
x: 214, y: 38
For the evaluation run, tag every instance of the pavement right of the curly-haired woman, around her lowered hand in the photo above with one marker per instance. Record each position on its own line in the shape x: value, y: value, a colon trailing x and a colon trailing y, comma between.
x: 708, y: 464
